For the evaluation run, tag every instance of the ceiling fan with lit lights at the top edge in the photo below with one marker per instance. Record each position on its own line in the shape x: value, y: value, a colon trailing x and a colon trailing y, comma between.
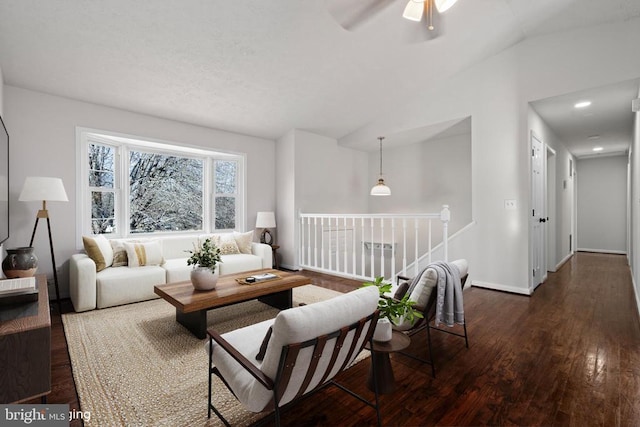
x: 353, y: 14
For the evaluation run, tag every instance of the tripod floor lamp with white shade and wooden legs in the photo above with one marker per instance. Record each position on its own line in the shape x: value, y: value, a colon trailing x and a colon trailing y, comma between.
x: 38, y: 188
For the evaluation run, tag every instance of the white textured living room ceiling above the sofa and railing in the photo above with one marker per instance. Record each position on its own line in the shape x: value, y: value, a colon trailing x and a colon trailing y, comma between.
x: 262, y: 67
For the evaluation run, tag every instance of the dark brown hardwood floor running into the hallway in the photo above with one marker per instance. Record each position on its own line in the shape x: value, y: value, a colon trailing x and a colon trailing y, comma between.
x: 567, y: 356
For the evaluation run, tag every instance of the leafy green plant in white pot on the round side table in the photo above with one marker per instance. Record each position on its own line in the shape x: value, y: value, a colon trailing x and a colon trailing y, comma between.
x: 392, y: 311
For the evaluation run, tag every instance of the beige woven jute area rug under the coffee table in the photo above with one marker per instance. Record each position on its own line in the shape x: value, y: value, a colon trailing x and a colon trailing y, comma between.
x: 134, y: 365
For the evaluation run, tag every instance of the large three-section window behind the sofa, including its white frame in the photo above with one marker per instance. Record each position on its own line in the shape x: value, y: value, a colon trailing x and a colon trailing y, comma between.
x: 135, y: 187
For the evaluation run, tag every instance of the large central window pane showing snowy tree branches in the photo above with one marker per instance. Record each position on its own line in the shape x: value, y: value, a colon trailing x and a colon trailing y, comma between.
x: 166, y: 193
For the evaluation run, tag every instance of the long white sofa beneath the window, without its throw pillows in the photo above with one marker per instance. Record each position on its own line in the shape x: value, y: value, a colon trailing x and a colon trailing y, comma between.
x: 112, y: 286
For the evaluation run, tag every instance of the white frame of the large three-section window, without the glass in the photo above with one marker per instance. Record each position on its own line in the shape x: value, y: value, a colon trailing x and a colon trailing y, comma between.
x: 123, y: 145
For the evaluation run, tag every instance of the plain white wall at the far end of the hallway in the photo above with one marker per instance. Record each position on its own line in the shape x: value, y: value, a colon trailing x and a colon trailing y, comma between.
x: 602, y: 204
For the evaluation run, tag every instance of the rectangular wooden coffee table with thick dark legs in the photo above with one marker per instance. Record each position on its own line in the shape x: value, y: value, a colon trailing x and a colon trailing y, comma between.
x: 192, y: 305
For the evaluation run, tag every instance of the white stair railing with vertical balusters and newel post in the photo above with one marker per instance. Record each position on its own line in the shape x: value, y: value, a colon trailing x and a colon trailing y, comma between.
x: 364, y: 246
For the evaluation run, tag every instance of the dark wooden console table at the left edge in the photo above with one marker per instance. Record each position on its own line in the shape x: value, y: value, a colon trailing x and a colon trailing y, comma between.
x: 25, y: 348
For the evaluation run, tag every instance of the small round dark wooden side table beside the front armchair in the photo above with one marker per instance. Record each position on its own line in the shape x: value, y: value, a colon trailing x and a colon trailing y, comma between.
x: 382, y: 364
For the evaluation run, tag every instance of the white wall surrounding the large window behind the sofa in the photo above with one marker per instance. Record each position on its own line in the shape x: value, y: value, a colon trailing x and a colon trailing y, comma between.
x: 43, y: 143
